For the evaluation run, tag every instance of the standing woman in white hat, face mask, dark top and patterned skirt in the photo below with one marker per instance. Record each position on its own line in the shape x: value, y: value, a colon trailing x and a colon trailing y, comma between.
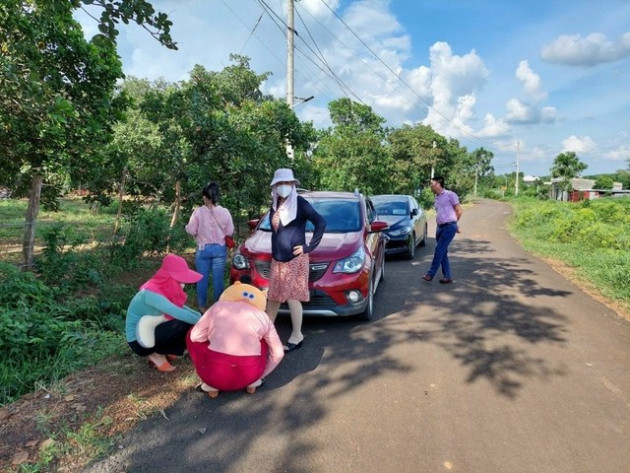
x: 288, y: 280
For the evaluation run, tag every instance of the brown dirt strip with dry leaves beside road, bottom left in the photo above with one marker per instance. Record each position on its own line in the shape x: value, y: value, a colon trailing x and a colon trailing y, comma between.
x: 110, y: 398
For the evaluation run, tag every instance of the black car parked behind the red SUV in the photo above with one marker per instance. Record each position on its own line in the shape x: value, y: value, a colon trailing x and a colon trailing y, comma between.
x: 407, y: 223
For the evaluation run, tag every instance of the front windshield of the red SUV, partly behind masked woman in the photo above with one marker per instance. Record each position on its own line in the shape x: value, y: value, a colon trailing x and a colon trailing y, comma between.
x: 342, y: 216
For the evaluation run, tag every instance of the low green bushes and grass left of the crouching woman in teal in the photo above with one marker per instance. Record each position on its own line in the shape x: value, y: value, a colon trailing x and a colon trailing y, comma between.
x: 46, y: 334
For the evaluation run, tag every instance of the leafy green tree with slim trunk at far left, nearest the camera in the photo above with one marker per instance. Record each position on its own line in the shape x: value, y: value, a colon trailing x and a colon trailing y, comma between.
x: 57, y: 106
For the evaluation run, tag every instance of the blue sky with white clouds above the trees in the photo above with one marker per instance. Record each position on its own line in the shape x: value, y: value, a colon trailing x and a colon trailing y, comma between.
x: 550, y: 76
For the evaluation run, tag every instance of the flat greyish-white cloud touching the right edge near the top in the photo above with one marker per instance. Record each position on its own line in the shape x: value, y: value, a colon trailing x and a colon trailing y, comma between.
x: 574, y: 50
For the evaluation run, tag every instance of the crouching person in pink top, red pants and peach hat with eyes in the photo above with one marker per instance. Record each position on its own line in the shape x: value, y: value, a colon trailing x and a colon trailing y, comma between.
x: 235, y: 344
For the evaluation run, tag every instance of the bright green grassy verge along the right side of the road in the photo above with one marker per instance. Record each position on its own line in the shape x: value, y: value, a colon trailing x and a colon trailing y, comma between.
x: 591, y: 237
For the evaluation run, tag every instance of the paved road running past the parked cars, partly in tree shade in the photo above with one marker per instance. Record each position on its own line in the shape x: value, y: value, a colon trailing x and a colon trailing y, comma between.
x: 510, y: 369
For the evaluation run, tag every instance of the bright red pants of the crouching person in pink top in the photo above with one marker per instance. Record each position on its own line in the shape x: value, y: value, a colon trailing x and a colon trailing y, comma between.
x: 226, y: 372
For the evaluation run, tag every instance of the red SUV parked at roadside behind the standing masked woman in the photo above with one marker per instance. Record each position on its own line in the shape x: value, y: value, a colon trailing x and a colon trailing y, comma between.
x: 346, y: 267
